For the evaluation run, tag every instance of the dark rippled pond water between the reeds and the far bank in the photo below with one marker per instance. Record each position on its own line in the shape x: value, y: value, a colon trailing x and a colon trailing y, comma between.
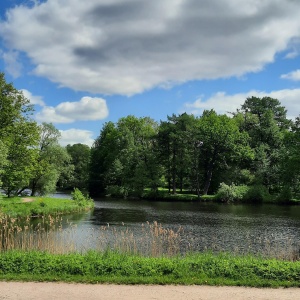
x: 243, y: 228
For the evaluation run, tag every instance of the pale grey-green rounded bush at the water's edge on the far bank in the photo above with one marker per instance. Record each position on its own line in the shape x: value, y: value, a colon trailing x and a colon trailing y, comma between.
x: 231, y: 193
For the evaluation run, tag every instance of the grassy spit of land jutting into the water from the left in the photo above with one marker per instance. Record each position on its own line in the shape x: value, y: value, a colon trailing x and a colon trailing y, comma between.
x: 40, y: 206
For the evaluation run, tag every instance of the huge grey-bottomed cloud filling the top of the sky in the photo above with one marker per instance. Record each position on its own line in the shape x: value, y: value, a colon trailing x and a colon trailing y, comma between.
x: 128, y: 46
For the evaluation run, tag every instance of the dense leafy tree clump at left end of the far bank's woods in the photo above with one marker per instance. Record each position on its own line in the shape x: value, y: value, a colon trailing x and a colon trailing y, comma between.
x: 122, y: 157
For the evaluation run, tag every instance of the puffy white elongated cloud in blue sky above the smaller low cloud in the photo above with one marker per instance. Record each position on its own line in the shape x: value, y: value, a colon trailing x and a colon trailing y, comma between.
x: 87, y: 109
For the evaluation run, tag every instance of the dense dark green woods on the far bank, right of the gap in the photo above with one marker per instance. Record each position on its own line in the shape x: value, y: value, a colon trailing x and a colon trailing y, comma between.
x: 256, y: 146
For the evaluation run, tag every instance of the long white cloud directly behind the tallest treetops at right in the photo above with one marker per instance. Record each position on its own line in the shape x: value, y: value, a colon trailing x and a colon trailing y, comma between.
x: 223, y: 103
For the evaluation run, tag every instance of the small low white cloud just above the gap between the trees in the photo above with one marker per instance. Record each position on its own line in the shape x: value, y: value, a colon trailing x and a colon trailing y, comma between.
x: 75, y: 136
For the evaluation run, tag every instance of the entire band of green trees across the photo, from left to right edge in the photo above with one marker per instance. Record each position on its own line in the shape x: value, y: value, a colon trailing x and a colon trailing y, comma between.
x: 255, y: 146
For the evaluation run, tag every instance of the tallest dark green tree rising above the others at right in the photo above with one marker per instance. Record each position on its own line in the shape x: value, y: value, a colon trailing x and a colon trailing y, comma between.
x: 264, y: 119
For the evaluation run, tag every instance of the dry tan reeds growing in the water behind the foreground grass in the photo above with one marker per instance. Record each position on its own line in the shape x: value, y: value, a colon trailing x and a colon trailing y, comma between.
x: 53, y: 235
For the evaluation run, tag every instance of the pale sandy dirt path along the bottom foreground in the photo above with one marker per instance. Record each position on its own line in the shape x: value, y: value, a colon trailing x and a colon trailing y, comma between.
x: 63, y: 291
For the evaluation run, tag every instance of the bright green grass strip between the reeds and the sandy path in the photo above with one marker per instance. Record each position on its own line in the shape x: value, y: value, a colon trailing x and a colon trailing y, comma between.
x: 112, y: 267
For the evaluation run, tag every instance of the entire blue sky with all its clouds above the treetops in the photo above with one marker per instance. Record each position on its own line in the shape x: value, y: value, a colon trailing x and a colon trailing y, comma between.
x: 84, y: 63
